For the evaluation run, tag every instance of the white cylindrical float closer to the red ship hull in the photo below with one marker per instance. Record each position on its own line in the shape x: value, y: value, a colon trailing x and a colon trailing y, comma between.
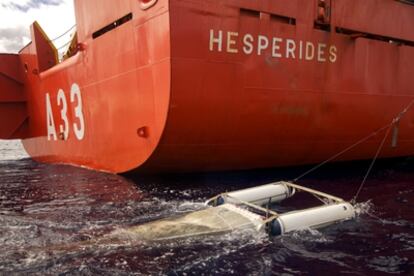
x: 275, y: 192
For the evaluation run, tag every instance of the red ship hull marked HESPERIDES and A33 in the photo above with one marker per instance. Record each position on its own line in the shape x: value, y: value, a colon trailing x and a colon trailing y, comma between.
x: 220, y: 85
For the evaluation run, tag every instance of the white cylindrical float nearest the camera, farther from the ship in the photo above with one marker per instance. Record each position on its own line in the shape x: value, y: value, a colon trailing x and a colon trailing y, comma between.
x: 311, y: 218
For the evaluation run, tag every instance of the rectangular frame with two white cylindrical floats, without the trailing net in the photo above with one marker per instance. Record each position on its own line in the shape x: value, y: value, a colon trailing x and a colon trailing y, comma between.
x: 332, y: 210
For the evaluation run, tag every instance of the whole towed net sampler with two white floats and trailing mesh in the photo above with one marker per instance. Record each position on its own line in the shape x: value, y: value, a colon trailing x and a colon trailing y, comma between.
x: 243, y: 209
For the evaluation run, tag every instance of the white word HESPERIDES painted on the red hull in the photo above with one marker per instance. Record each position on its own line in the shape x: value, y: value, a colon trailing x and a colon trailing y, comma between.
x: 278, y: 47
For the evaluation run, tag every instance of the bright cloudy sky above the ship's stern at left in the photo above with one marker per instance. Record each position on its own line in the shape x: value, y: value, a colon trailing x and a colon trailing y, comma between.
x: 16, y: 16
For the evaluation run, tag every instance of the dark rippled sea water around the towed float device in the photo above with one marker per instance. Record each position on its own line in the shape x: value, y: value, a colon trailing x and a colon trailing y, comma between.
x: 48, y: 211
